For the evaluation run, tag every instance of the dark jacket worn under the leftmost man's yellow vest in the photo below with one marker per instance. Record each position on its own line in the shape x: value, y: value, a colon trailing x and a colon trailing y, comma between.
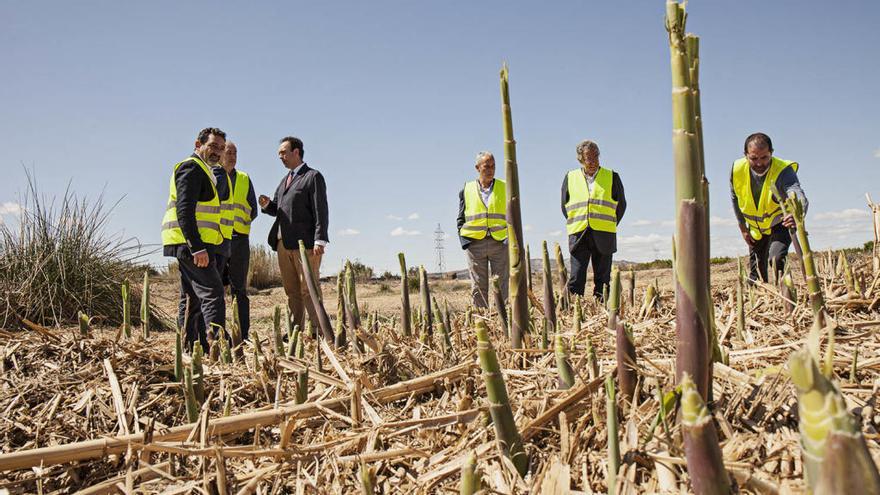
x: 192, y: 186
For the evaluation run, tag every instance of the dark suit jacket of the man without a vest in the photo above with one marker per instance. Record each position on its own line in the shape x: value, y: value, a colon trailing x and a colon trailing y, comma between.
x: 300, y: 210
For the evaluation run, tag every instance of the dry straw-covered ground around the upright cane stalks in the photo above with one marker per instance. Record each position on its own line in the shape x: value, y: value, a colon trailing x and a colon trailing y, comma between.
x: 403, y: 415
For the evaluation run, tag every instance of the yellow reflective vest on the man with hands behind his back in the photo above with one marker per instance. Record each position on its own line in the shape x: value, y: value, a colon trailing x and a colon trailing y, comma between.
x: 596, y: 210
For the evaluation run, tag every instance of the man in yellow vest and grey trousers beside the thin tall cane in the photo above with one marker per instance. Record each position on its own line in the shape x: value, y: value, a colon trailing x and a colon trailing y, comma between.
x: 482, y: 229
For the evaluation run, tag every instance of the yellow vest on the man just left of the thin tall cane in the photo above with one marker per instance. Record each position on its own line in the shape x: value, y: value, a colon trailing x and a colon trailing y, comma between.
x: 480, y: 219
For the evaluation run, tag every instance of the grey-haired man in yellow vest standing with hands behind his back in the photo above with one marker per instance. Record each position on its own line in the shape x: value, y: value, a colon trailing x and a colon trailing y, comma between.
x: 593, y: 203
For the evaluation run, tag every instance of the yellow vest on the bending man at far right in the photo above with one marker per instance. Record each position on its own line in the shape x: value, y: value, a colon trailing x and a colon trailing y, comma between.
x: 767, y: 213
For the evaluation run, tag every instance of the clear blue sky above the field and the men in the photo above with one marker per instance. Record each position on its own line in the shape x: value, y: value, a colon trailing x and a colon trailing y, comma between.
x: 394, y: 99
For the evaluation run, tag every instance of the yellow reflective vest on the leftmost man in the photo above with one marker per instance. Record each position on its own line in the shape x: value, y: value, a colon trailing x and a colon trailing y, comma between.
x: 207, y: 213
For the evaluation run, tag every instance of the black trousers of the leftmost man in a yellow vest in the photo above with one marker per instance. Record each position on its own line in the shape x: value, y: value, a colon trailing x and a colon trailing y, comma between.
x: 203, y: 289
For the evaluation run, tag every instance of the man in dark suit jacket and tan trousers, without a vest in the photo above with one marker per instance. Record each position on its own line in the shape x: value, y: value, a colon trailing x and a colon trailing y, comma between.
x: 301, y: 213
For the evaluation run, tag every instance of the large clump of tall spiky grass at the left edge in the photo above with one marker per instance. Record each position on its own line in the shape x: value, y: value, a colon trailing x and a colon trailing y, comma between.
x: 59, y: 260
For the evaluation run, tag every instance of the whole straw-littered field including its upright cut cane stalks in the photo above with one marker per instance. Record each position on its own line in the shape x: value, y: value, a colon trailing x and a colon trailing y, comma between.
x: 444, y: 404
